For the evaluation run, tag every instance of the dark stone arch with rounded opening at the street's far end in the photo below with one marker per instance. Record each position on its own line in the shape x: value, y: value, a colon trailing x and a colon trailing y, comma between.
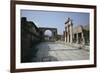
x: 53, y: 30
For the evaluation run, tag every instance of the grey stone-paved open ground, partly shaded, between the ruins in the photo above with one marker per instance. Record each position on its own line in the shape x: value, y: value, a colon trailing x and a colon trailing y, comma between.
x: 54, y: 51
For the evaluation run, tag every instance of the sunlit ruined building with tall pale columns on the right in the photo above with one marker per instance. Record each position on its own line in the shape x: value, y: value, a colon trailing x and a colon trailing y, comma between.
x: 78, y: 35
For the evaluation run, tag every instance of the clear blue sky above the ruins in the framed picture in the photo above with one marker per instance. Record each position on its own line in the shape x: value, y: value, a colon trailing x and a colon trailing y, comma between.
x: 55, y: 19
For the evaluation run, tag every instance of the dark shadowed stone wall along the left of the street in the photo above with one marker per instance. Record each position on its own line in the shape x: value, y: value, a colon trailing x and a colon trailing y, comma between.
x: 30, y: 36
